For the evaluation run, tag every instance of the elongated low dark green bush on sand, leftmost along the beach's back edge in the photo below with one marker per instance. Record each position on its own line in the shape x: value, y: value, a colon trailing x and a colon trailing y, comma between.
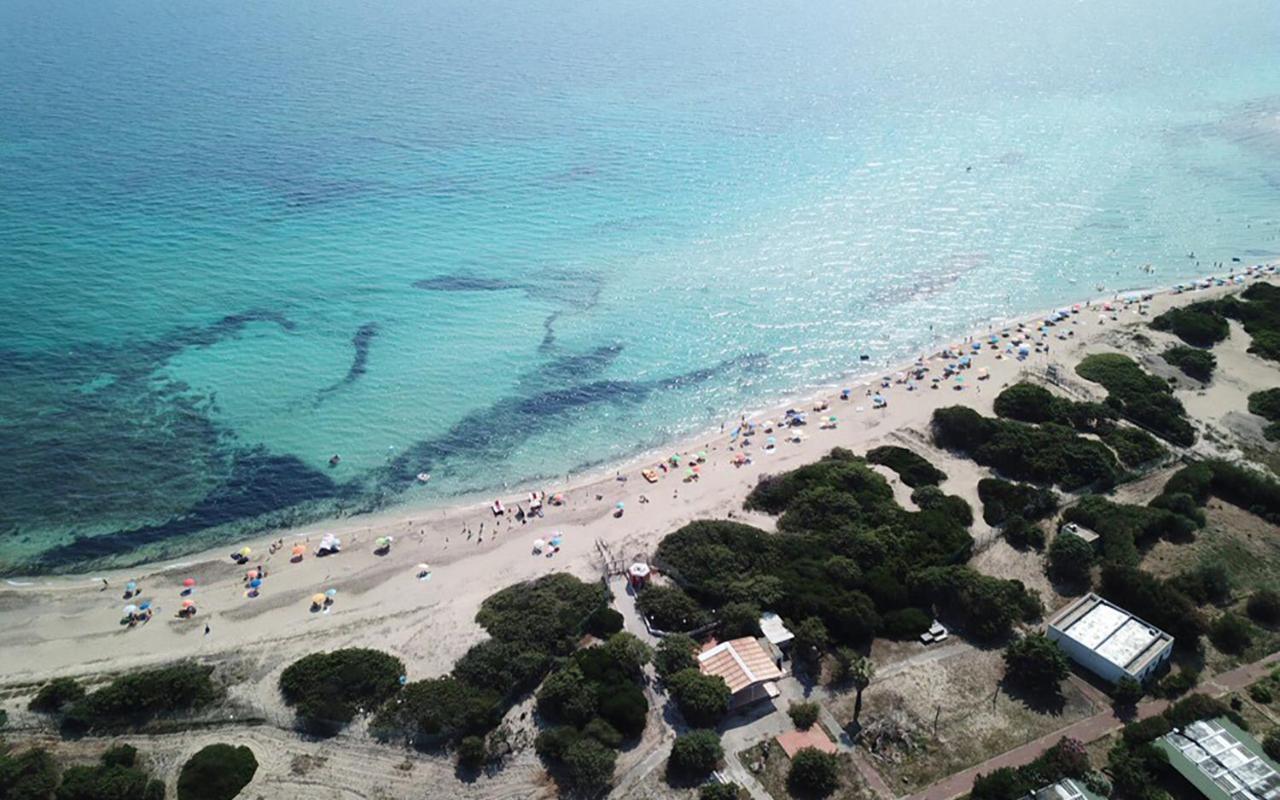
x: 138, y: 698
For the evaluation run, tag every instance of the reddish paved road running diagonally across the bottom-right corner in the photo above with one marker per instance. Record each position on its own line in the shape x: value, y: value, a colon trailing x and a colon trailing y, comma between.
x: 1089, y: 730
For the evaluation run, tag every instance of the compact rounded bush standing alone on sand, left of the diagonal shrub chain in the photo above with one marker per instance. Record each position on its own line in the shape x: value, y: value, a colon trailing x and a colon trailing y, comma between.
x: 328, y: 689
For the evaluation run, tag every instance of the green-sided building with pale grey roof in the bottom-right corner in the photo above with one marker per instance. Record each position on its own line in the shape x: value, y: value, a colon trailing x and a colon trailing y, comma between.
x: 1223, y: 762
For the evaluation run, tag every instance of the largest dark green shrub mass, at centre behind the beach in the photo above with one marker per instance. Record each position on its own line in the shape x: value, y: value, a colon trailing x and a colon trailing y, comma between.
x: 847, y: 560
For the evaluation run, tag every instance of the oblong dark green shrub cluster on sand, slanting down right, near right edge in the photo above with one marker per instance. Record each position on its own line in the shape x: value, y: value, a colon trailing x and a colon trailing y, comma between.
x: 1139, y: 396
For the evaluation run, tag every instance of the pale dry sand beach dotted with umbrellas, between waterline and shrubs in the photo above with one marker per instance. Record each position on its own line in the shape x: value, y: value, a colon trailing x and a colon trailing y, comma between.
x: 71, y: 625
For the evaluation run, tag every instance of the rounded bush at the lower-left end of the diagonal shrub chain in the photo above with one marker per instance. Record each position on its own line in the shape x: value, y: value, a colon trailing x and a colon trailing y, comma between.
x: 437, y: 710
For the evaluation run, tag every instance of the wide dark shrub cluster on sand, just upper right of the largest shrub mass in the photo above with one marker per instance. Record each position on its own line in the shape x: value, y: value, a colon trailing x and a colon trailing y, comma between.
x: 1049, y: 454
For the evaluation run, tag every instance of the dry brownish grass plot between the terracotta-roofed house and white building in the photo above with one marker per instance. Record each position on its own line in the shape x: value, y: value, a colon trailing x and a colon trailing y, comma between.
x: 976, y: 720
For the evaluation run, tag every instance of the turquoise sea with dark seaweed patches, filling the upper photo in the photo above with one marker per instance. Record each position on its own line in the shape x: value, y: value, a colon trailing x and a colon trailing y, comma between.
x: 508, y: 241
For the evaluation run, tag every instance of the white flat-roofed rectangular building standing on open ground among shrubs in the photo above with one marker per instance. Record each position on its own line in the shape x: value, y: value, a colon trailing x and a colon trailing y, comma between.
x: 1109, y: 641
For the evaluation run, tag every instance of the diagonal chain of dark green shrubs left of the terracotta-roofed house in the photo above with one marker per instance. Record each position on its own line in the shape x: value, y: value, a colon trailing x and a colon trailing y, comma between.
x: 529, y: 625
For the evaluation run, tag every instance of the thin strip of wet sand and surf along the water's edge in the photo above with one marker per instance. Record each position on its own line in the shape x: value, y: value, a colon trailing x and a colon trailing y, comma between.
x: 597, y: 478
